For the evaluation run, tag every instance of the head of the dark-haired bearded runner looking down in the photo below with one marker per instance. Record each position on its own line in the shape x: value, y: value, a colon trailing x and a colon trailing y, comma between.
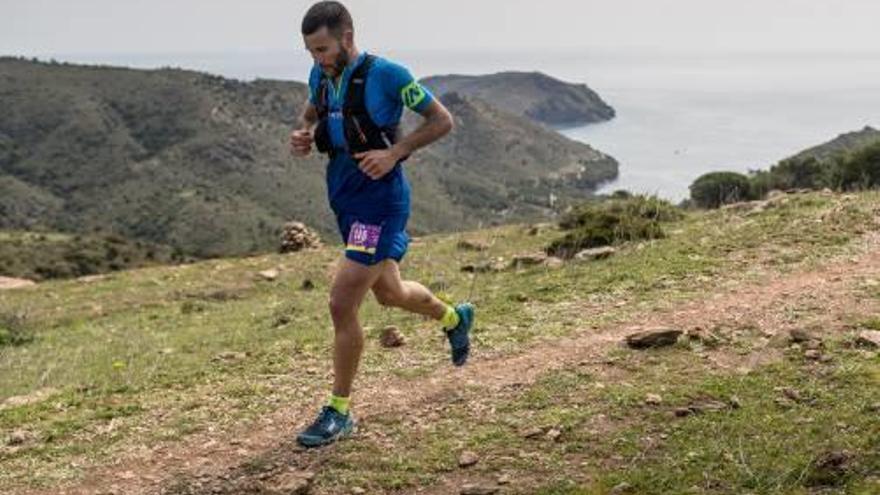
x: 329, y: 36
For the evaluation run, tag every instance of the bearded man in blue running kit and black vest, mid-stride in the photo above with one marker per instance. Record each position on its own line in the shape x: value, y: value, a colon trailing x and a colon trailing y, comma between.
x: 352, y: 114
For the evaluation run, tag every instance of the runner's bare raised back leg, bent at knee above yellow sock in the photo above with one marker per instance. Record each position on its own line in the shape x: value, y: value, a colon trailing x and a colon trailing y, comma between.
x: 412, y: 296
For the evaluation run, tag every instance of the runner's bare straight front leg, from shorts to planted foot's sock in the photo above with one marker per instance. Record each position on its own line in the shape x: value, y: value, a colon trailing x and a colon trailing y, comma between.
x: 350, y: 285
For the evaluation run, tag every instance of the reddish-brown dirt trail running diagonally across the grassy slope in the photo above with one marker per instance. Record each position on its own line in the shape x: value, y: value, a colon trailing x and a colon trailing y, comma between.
x: 221, y: 465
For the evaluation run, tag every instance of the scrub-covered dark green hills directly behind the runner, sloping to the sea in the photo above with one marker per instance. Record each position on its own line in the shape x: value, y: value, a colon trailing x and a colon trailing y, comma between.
x: 201, y: 163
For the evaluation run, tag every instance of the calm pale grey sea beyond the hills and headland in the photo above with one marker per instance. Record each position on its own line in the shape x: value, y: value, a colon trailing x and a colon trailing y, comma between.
x: 679, y: 115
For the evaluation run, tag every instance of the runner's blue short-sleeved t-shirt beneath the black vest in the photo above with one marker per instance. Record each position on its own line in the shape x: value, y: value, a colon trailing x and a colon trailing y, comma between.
x: 390, y: 87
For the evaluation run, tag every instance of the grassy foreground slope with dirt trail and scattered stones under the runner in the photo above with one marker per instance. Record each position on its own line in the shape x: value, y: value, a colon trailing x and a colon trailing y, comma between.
x: 195, y: 378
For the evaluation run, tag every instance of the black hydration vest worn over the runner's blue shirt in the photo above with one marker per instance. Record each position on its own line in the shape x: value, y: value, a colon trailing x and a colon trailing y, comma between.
x: 361, y: 132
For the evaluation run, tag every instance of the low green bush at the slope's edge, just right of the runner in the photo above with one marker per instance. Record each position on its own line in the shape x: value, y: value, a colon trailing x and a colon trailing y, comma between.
x: 613, y: 221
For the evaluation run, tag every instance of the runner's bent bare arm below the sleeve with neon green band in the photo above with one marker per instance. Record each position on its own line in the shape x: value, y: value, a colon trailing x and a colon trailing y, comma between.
x: 436, y: 124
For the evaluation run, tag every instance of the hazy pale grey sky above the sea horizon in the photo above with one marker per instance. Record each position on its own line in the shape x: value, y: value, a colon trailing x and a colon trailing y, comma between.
x: 39, y: 27
